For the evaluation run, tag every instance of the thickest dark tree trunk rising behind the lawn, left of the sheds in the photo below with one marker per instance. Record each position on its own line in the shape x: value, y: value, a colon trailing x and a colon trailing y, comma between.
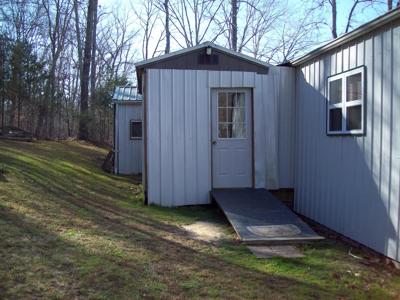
x: 84, y: 117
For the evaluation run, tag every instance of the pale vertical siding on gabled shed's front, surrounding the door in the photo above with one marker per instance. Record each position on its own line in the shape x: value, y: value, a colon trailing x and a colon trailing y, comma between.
x: 179, y: 120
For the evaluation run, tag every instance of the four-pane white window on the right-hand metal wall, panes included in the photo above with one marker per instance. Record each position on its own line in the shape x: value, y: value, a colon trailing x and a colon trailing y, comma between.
x: 345, y: 109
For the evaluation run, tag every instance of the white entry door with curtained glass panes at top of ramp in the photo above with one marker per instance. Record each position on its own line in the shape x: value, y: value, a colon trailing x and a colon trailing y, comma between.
x: 231, y: 138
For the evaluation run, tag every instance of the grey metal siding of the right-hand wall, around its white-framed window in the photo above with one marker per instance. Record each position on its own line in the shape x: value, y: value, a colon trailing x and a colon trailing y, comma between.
x: 351, y: 183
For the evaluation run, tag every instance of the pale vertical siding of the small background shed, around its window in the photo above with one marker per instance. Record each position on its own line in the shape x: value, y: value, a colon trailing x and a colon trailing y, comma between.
x: 129, y: 152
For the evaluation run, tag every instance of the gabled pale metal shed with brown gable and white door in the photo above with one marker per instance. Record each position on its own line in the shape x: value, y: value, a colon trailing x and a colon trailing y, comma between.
x: 212, y: 120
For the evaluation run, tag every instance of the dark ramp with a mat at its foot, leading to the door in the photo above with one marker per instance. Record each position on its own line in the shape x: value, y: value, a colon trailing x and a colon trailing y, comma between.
x: 258, y: 217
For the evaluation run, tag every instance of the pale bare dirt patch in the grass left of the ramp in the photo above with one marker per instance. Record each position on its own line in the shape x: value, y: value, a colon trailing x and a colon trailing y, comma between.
x: 205, y: 231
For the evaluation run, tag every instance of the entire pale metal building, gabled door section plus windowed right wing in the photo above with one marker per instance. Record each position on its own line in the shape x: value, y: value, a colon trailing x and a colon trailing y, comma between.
x: 325, y: 127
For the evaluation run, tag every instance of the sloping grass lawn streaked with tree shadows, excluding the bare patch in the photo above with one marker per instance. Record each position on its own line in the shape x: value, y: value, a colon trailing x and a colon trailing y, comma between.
x: 69, y: 230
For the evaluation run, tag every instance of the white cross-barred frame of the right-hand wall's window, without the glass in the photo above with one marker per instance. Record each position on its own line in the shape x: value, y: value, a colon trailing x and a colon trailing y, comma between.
x: 345, y: 104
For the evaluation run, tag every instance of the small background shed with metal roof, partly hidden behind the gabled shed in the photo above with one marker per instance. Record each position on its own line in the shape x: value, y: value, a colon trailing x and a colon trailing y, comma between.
x: 128, y: 144
